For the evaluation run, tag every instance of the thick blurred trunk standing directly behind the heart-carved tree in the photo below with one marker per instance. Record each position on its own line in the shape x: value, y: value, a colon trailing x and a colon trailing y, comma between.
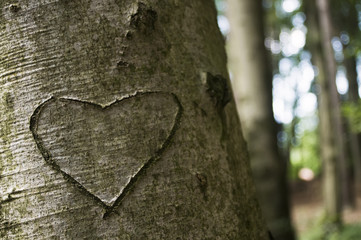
x: 252, y: 82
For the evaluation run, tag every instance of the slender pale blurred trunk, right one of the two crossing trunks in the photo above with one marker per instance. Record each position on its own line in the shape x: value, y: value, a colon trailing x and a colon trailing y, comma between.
x: 331, y: 124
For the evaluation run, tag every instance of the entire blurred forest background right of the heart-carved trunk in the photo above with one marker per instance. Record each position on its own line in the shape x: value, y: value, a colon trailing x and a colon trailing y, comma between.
x: 294, y: 67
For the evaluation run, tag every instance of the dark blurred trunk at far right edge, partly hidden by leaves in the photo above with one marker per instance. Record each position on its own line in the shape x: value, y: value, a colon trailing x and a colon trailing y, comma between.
x: 345, y: 23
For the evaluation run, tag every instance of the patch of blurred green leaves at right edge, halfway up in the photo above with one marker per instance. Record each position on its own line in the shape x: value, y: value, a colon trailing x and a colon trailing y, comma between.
x: 352, y: 111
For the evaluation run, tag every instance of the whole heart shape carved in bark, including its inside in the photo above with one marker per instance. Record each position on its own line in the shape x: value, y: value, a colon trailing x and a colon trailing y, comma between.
x: 104, y: 150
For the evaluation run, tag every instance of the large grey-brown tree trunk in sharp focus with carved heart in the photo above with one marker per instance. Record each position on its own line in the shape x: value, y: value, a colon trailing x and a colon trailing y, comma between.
x: 117, y: 123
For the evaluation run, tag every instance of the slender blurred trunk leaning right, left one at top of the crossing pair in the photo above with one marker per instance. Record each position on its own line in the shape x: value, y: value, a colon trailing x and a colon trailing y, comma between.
x: 328, y: 145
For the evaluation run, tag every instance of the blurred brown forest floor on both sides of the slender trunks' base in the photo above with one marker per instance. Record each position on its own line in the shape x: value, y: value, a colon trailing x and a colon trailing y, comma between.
x: 307, y: 206
